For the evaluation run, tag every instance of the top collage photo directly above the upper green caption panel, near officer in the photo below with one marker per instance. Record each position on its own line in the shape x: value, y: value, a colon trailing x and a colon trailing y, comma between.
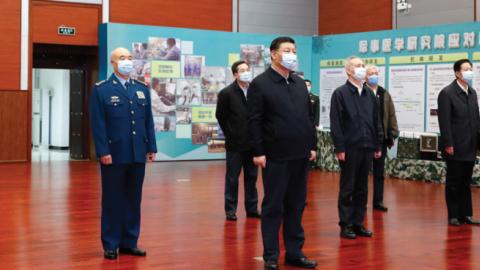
x: 167, y: 49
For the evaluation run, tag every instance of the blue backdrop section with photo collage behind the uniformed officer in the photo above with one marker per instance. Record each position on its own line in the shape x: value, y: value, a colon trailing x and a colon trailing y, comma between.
x: 185, y: 69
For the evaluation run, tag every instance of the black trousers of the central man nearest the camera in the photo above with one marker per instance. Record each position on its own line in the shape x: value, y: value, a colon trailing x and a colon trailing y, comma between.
x: 285, y: 185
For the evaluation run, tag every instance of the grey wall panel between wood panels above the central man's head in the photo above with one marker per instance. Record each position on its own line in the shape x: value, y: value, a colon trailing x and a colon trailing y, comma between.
x: 288, y: 17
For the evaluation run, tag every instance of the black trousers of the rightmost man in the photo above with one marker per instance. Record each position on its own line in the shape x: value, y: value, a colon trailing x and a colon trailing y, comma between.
x: 457, y: 189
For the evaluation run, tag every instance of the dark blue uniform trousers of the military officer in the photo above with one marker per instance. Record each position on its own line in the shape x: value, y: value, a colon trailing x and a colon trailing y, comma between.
x: 121, y: 199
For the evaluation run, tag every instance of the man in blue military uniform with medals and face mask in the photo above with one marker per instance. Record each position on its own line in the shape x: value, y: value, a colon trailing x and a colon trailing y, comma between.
x: 123, y: 131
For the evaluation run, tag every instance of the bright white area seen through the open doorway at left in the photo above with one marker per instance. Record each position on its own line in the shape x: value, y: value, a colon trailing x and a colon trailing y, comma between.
x: 55, y: 83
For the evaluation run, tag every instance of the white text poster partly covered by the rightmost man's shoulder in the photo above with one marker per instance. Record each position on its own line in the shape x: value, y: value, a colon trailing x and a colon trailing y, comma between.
x: 438, y: 76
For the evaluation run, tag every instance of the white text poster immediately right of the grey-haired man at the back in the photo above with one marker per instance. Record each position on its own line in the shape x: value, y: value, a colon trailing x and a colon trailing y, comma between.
x: 407, y: 88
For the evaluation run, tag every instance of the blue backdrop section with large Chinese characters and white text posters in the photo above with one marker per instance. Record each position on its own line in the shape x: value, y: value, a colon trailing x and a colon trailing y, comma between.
x: 415, y: 65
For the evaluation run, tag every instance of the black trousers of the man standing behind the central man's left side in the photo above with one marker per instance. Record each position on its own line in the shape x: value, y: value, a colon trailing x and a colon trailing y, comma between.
x: 235, y: 162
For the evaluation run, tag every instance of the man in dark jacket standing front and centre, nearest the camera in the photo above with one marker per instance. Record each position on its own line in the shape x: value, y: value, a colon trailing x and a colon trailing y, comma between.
x: 284, y: 139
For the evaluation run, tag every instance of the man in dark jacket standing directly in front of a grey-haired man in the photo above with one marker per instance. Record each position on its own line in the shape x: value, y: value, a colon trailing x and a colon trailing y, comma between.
x: 357, y: 136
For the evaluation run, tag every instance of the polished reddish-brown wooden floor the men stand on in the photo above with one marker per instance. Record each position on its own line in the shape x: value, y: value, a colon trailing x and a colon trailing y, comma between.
x: 51, y: 220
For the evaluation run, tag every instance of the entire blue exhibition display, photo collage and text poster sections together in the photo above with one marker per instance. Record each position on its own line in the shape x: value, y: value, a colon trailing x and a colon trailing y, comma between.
x: 186, y: 69
